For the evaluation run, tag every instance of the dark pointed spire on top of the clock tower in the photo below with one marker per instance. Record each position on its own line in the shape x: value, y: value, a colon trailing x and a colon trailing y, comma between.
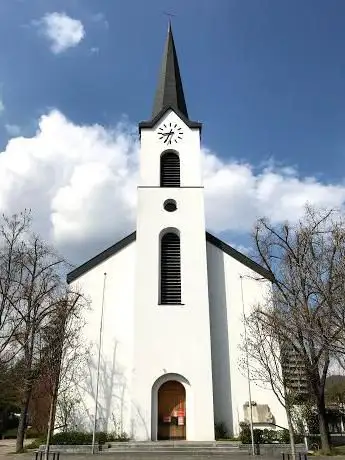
x: 170, y: 90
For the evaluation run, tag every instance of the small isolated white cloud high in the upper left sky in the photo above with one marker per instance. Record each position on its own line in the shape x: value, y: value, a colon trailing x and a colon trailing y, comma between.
x: 62, y: 31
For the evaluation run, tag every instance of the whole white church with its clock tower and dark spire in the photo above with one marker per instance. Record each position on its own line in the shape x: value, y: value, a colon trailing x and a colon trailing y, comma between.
x: 166, y: 301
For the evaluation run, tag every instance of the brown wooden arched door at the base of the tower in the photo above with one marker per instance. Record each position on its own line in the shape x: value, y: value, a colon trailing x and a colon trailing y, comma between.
x: 171, y: 411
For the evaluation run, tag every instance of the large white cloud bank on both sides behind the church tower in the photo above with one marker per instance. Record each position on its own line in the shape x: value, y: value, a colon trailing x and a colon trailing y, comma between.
x: 80, y: 182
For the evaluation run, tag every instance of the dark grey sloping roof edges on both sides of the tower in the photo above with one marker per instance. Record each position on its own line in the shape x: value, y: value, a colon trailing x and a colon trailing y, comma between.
x: 79, y: 271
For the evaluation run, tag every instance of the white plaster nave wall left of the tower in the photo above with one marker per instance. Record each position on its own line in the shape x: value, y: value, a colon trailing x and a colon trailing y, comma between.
x: 117, y: 343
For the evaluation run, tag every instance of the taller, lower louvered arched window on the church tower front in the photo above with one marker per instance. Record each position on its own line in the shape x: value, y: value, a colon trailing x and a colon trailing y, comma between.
x: 170, y: 269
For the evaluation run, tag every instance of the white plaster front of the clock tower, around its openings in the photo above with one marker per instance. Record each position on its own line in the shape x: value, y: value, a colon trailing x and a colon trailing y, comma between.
x: 172, y: 339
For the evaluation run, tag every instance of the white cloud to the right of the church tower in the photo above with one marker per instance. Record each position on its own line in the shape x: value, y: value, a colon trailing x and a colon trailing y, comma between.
x: 236, y: 195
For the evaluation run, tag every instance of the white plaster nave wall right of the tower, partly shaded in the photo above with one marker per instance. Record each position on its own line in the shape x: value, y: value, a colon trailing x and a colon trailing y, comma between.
x: 227, y: 331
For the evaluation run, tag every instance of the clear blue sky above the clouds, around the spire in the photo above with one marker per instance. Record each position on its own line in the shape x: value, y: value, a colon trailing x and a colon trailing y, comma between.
x: 266, y: 77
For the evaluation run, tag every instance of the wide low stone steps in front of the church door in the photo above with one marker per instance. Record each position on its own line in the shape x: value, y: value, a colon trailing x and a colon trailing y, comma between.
x: 207, y: 447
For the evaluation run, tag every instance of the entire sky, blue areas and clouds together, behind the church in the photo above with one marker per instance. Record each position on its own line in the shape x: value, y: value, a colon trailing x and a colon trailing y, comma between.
x: 265, y: 77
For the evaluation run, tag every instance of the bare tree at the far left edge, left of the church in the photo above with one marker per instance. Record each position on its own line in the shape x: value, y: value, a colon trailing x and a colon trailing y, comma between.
x: 31, y: 284
